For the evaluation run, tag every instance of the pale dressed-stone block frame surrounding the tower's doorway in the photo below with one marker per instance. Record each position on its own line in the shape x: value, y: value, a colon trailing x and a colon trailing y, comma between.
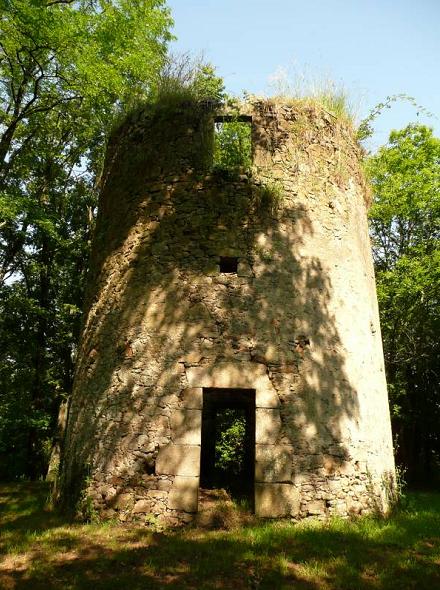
x: 275, y: 494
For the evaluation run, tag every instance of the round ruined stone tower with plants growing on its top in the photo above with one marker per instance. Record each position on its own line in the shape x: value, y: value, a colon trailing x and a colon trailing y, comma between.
x: 211, y: 288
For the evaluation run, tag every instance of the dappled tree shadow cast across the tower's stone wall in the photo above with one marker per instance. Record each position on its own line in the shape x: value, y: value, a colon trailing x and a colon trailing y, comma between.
x: 158, y: 305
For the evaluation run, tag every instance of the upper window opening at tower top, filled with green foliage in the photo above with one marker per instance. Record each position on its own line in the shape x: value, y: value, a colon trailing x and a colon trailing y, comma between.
x: 233, y: 142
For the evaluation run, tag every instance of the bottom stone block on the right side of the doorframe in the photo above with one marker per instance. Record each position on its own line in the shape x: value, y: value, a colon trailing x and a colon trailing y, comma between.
x: 273, y: 500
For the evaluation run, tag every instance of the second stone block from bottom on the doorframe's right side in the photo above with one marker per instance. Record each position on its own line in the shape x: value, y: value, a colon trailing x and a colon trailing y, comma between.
x: 273, y: 463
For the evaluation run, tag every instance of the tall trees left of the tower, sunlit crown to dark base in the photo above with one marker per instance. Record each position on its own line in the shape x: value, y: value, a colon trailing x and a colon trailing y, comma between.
x: 68, y: 68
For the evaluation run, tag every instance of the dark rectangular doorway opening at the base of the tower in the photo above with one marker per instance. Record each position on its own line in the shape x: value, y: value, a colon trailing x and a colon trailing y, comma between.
x: 228, y: 442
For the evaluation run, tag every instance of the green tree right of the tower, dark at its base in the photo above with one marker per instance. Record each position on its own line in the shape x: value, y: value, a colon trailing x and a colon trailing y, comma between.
x: 405, y: 226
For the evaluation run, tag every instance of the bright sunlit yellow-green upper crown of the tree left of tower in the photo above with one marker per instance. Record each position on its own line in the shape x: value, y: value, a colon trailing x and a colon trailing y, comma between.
x: 74, y: 64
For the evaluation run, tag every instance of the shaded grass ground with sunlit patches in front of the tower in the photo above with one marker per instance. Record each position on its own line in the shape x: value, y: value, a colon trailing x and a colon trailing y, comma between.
x: 40, y: 549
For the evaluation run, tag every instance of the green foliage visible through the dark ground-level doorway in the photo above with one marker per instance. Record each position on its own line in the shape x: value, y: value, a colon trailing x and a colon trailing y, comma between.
x: 230, y: 441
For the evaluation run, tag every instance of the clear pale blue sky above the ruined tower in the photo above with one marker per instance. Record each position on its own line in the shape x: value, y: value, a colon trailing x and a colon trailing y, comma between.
x: 372, y: 48
